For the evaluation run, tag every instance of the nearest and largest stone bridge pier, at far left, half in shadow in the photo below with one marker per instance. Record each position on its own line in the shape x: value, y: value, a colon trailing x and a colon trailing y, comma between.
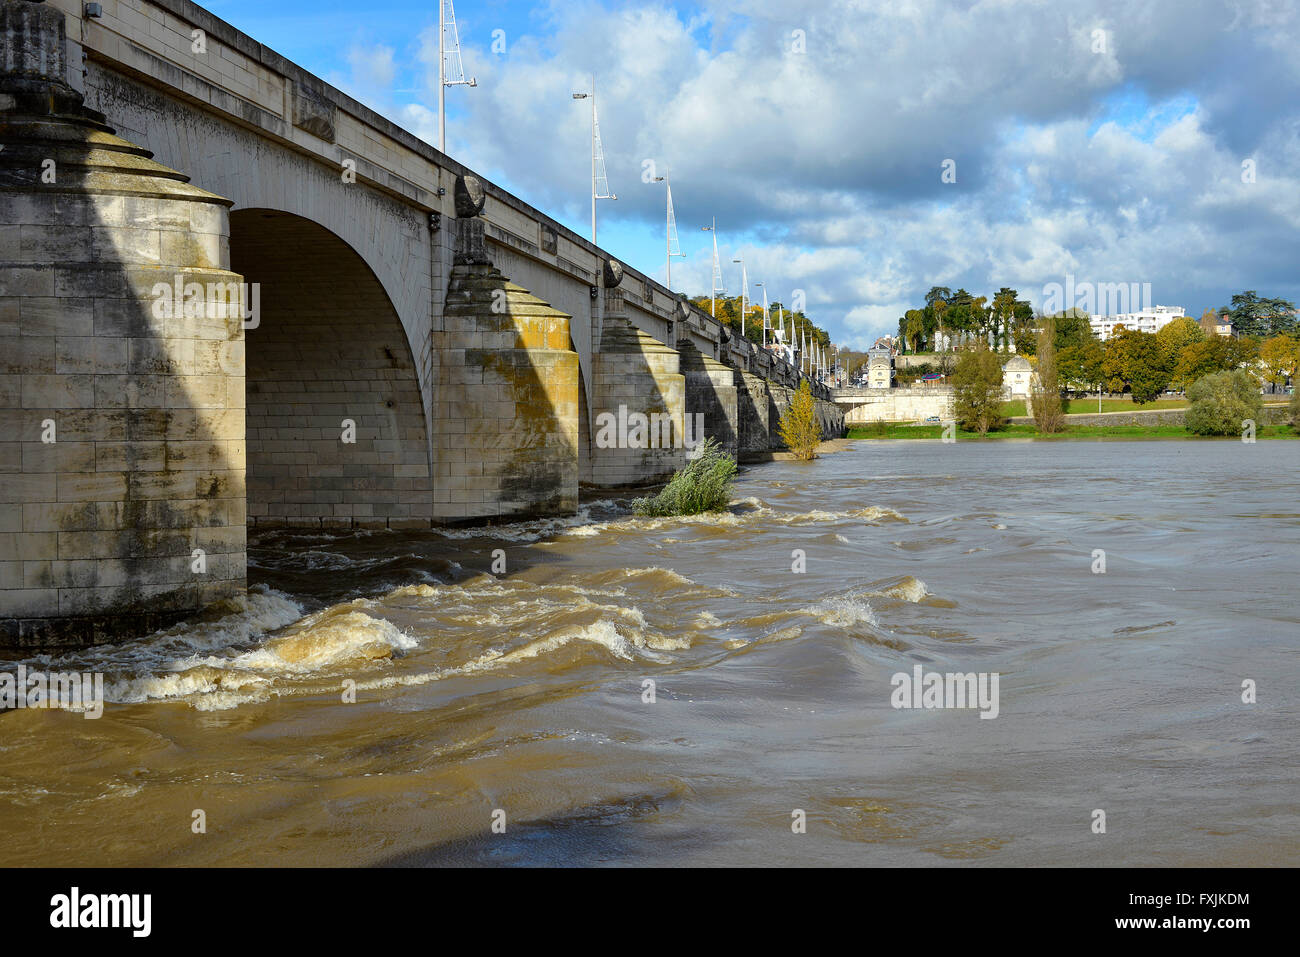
x: 122, y: 488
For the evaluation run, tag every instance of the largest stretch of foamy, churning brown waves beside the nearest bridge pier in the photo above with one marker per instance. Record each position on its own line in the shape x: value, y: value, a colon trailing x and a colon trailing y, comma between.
x: 266, y: 648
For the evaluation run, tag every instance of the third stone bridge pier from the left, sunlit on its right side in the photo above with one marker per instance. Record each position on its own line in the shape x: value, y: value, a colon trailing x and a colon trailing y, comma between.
x: 635, y: 374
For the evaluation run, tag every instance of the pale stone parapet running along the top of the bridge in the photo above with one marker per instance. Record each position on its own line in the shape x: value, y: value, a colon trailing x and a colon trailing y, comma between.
x: 232, y: 75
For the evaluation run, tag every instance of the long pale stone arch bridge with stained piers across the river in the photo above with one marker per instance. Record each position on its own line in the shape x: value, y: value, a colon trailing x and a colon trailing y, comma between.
x: 232, y: 296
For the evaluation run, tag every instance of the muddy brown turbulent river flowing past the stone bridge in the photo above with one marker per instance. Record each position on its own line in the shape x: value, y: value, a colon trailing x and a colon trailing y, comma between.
x: 522, y: 699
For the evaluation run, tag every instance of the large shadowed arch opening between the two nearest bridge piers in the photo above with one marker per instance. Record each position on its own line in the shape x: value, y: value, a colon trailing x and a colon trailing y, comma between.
x: 336, y: 426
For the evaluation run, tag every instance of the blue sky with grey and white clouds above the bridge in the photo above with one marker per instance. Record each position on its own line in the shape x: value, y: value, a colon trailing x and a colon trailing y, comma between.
x: 1095, y: 138
